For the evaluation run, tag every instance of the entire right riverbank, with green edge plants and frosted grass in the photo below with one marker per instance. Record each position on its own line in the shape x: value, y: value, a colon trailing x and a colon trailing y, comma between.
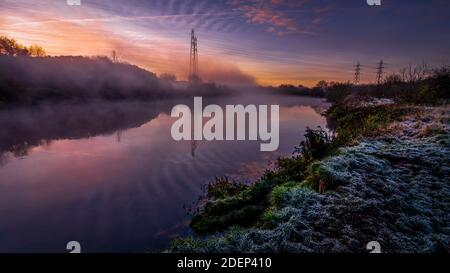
x: 383, y: 177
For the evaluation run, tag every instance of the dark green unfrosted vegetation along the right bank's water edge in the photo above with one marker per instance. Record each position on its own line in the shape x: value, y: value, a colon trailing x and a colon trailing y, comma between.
x: 226, y: 203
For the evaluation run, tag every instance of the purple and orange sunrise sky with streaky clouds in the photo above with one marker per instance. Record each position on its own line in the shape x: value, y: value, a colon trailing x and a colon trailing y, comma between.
x: 267, y: 42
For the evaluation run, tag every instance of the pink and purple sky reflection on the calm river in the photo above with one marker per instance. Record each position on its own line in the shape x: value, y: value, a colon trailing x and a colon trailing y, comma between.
x: 124, y: 190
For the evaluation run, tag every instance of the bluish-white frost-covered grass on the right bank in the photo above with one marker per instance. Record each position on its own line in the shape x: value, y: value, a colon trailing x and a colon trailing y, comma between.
x: 396, y: 193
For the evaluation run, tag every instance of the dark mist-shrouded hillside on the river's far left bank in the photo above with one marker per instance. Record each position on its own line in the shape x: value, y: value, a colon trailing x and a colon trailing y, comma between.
x: 26, y: 80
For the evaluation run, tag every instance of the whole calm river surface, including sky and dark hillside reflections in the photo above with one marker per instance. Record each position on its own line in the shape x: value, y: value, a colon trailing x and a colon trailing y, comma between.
x: 109, y: 174
